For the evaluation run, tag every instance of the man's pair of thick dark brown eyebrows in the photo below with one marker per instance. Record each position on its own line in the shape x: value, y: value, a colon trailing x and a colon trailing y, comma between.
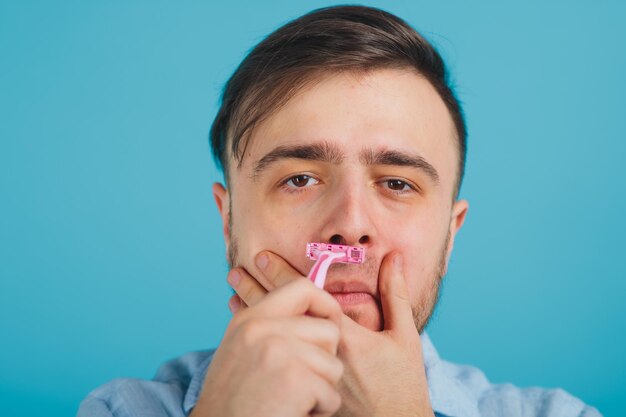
x: 328, y: 152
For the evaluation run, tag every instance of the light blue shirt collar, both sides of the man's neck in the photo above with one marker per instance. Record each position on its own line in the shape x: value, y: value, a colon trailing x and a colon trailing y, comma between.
x: 447, y: 395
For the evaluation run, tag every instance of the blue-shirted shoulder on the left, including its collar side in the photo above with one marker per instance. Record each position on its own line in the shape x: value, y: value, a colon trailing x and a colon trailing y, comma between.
x: 164, y: 395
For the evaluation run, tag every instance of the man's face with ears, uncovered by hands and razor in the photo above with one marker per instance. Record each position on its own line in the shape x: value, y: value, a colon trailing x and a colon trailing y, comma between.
x: 366, y: 160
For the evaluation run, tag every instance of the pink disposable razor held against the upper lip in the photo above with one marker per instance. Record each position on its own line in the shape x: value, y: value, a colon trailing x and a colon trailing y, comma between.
x: 326, y: 254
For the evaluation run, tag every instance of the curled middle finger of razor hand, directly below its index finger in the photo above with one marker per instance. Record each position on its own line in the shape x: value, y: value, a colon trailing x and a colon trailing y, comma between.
x: 319, y: 332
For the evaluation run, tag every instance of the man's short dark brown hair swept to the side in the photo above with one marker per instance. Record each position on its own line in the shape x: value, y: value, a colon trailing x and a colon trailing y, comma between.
x: 327, y: 40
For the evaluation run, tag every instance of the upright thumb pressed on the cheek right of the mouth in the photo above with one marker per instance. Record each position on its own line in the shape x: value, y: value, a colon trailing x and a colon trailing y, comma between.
x: 394, y: 295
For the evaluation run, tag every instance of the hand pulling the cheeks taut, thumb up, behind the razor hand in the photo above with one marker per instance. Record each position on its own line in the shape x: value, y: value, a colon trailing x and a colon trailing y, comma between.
x: 384, y: 371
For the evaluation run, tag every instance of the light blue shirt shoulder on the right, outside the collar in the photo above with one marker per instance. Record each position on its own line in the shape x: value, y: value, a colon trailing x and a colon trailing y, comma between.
x: 510, y: 400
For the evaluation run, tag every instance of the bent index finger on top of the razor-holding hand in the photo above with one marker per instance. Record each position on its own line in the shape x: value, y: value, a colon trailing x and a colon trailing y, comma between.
x: 297, y: 298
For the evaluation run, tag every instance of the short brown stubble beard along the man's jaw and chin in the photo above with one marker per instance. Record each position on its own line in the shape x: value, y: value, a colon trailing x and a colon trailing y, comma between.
x: 422, y: 308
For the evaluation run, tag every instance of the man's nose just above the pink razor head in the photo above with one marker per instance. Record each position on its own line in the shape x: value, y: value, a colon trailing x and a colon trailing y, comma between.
x: 348, y: 222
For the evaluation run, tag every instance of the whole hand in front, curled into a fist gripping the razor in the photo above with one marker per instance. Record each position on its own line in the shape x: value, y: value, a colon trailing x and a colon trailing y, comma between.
x: 277, y: 358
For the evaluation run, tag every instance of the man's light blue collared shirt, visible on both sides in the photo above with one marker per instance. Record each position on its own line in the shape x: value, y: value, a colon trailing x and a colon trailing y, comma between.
x: 455, y: 391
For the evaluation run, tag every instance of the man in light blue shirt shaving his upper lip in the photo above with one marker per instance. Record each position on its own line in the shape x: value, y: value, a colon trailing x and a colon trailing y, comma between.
x: 339, y: 127
